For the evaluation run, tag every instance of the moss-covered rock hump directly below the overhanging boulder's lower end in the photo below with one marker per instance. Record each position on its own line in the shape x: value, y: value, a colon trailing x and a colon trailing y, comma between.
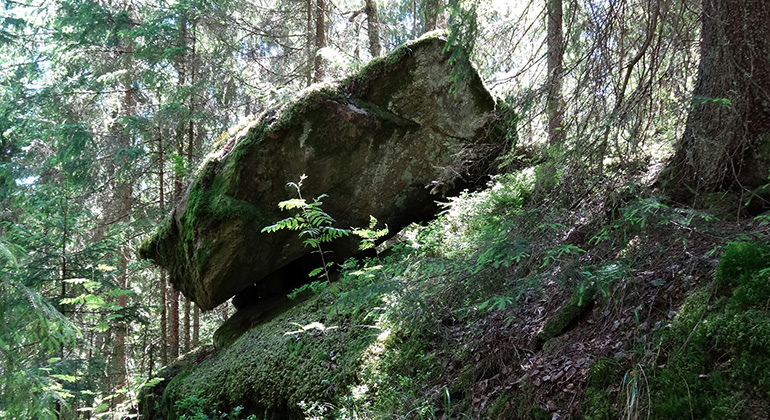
x: 302, y: 355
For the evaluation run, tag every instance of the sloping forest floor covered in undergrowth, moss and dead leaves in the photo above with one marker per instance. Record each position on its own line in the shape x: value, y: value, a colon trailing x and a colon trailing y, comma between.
x: 476, y: 297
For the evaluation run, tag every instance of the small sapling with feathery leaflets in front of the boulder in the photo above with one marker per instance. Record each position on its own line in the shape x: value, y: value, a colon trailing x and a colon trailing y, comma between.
x: 315, y: 226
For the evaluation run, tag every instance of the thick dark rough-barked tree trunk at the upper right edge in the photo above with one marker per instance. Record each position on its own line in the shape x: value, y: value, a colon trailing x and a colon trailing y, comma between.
x: 726, y: 143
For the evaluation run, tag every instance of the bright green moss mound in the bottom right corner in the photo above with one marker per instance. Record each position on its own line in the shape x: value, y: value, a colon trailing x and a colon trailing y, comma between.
x: 716, y: 358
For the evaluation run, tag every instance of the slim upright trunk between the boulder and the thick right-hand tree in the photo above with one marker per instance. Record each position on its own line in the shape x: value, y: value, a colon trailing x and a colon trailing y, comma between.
x: 555, y: 101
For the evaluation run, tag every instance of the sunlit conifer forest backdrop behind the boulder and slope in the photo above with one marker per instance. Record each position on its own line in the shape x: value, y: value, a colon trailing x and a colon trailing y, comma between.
x: 107, y: 108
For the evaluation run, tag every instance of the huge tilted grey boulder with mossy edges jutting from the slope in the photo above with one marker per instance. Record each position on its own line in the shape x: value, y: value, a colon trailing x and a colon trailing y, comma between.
x: 380, y: 143
